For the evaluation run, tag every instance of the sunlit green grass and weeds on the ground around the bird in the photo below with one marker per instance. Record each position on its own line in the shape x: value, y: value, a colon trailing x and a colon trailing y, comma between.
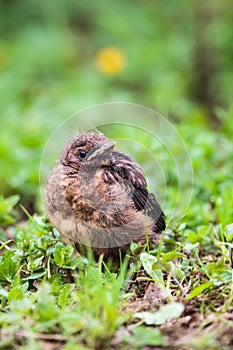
x: 50, y: 296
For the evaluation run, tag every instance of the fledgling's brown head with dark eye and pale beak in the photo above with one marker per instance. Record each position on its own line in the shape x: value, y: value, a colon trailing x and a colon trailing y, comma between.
x: 87, y: 150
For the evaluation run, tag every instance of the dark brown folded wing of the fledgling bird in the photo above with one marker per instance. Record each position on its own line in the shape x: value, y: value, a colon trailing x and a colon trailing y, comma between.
x: 124, y: 168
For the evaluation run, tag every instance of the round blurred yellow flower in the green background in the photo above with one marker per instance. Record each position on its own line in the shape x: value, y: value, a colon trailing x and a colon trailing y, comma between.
x: 110, y: 60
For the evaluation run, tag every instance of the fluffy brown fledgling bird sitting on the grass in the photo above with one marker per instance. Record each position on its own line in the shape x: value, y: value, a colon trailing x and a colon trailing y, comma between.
x: 97, y: 196
